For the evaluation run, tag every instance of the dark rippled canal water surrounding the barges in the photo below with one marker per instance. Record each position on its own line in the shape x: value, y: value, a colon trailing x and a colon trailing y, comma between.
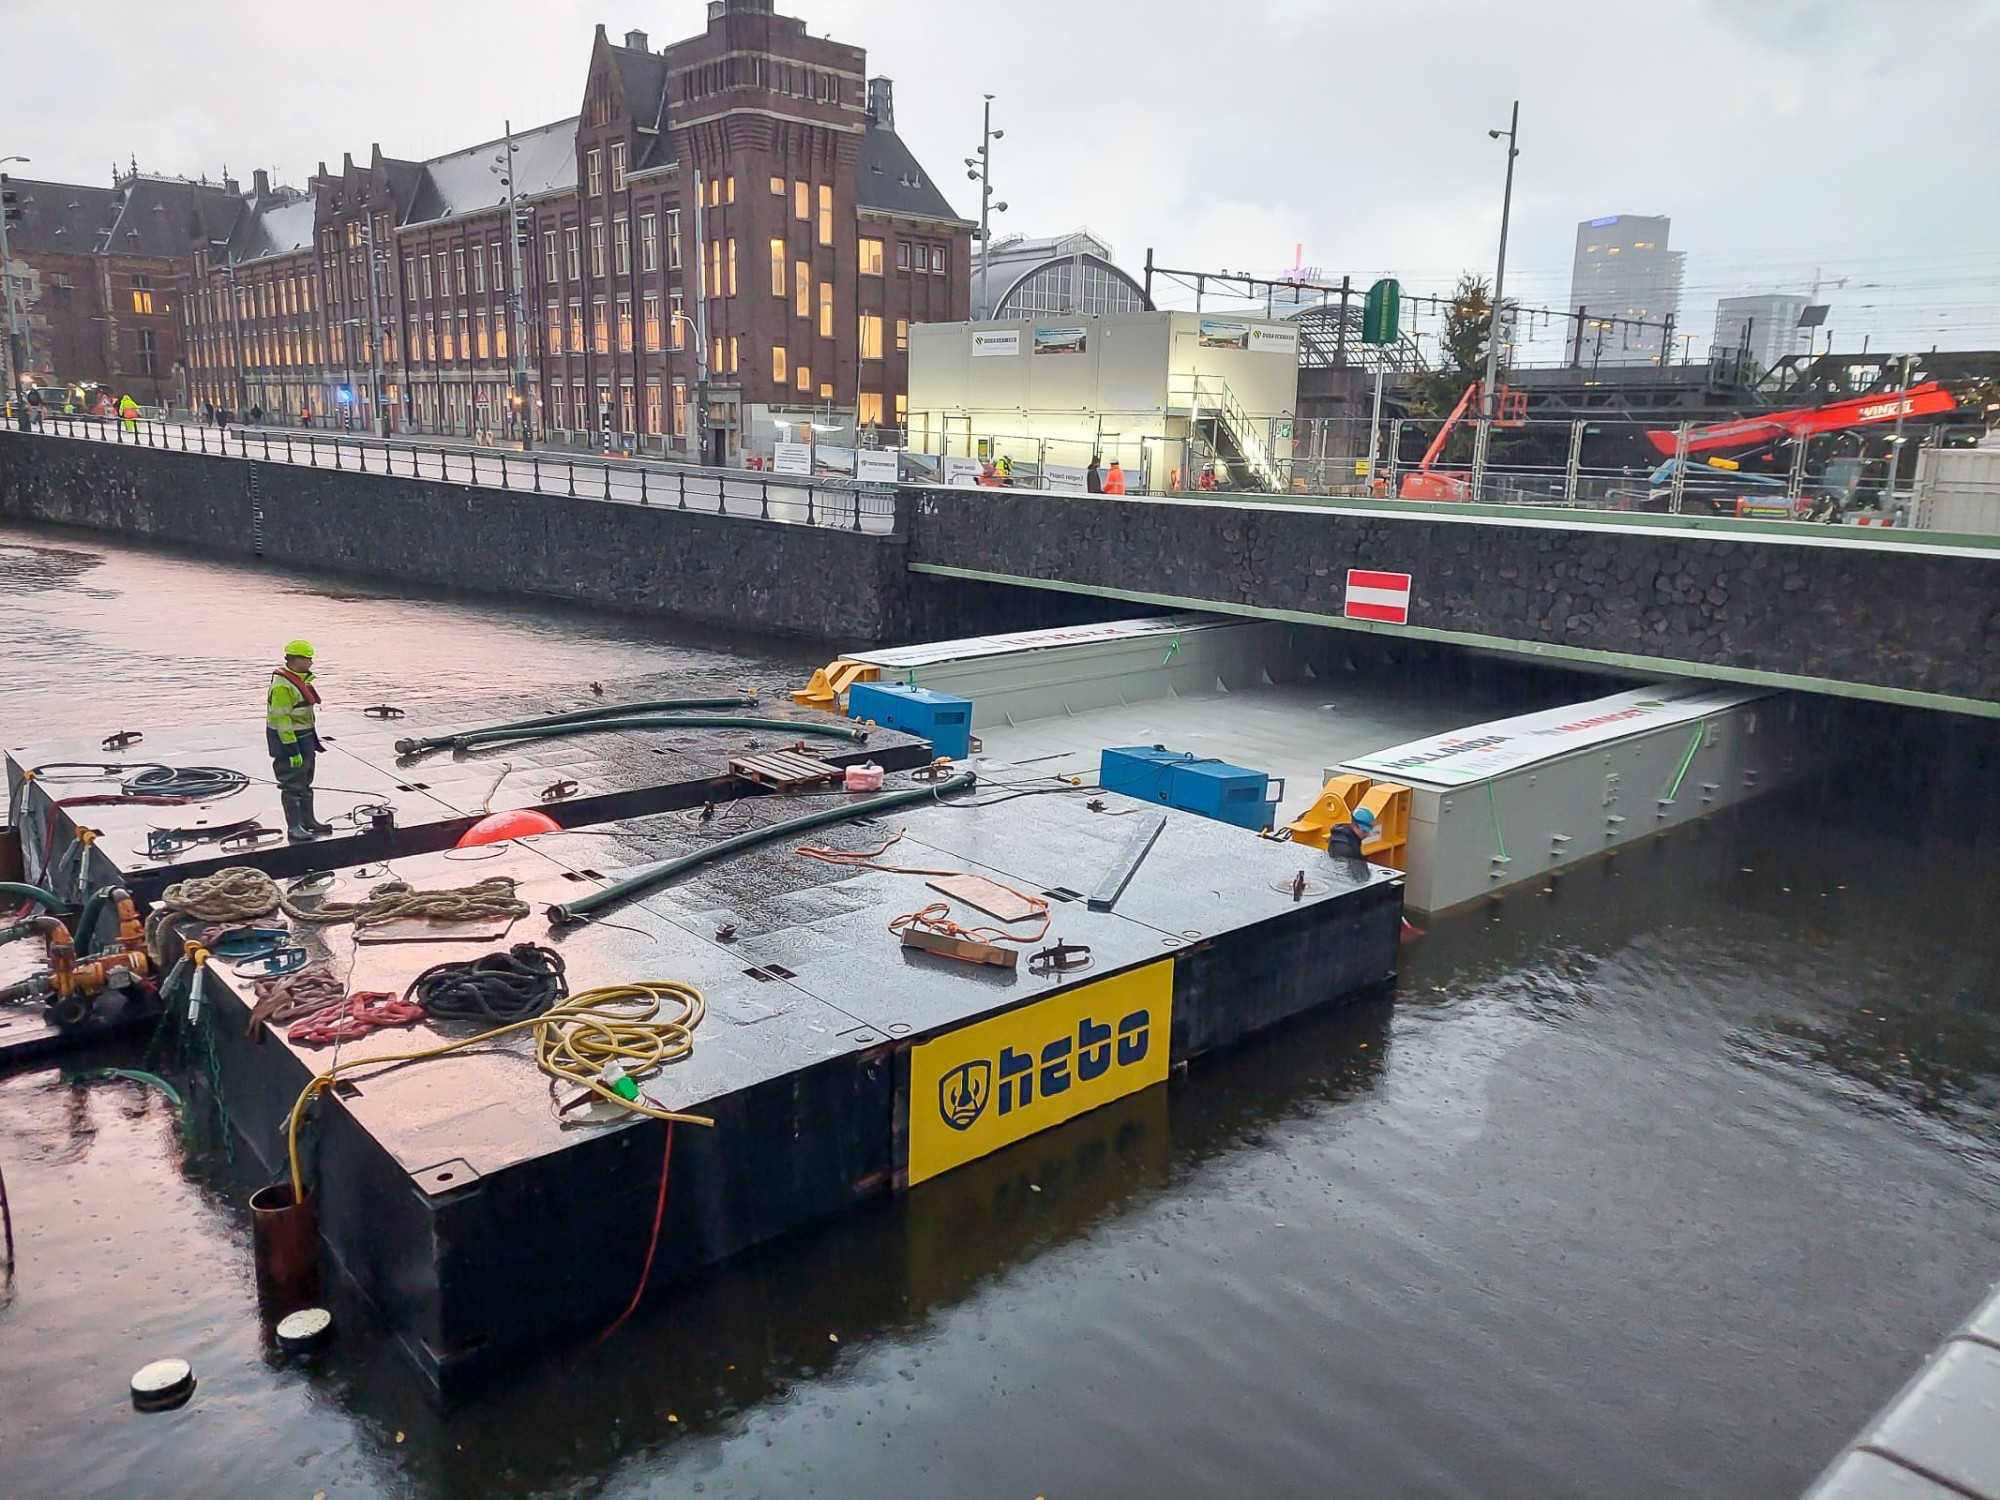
x: 1655, y: 1185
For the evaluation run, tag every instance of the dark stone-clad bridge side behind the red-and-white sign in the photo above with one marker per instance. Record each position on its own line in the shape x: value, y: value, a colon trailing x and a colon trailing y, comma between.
x: 1867, y: 615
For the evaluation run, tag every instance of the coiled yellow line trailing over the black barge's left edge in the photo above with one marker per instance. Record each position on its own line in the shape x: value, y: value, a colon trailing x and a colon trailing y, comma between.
x: 573, y: 1041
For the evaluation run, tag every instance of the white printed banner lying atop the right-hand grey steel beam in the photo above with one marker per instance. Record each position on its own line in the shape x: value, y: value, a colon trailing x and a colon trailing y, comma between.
x: 1485, y: 751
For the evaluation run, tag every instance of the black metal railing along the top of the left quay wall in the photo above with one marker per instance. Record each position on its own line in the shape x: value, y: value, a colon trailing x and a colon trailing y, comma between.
x: 845, y: 505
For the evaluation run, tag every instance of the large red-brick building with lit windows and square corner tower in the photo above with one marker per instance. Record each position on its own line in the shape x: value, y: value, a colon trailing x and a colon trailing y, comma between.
x: 733, y: 215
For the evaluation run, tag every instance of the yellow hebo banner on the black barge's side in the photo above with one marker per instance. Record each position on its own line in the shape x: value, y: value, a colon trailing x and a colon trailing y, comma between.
x: 1005, y: 1079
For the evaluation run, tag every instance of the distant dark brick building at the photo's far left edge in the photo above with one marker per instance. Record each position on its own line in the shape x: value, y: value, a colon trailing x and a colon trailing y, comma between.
x: 99, y: 277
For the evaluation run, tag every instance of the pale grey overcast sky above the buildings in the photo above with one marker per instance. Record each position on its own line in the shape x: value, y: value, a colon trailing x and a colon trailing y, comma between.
x: 1783, y: 137
